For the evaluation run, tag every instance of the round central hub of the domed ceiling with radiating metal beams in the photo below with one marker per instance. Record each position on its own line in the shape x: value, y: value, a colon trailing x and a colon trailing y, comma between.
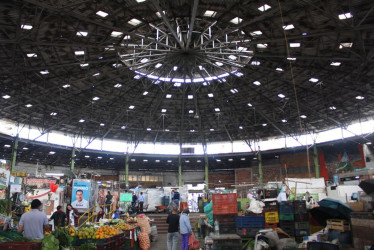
x: 173, y: 52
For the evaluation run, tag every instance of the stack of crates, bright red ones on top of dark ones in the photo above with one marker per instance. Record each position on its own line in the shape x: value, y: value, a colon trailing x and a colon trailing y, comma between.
x: 225, y: 208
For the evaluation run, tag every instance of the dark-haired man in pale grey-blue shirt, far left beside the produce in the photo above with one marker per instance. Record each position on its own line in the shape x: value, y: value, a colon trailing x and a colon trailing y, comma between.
x: 32, y: 223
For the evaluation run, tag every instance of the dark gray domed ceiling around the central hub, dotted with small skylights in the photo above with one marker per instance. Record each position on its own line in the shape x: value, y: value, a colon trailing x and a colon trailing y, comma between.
x: 53, y: 39
